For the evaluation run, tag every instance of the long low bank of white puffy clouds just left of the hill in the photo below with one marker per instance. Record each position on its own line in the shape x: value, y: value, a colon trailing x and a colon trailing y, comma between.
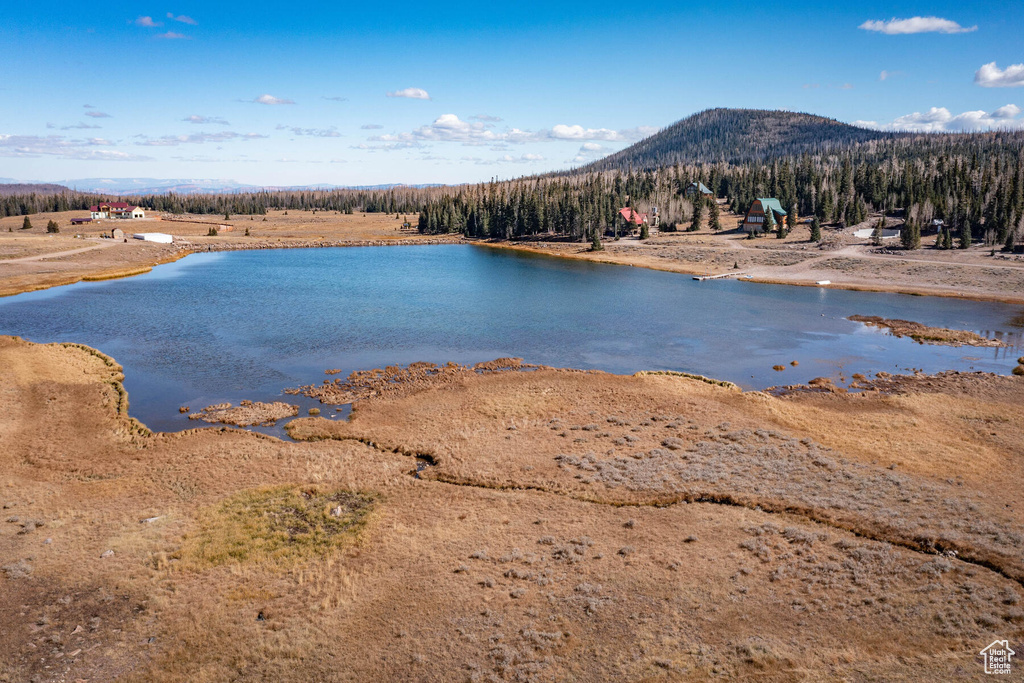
x: 450, y: 129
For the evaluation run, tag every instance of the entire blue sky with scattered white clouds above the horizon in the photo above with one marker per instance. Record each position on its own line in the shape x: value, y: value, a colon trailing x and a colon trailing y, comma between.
x: 428, y: 93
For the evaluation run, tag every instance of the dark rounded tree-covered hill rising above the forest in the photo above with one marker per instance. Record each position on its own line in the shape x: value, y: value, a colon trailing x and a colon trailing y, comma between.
x: 737, y: 137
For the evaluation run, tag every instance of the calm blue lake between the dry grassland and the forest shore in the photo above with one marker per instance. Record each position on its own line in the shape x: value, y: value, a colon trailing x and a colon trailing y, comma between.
x: 247, y: 325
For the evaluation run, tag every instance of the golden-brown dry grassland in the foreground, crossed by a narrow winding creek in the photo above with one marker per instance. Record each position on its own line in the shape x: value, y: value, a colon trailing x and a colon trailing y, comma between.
x: 565, y: 526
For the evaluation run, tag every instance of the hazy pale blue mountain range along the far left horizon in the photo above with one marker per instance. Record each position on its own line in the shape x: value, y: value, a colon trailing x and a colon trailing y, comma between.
x: 140, y: 187
